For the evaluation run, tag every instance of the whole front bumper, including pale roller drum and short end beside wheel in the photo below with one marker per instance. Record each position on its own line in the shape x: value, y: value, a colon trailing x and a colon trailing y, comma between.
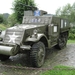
x: 11, y: 50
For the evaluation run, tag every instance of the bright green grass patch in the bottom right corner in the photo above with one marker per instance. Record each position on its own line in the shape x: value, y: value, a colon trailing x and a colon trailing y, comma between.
x: 60, y: 70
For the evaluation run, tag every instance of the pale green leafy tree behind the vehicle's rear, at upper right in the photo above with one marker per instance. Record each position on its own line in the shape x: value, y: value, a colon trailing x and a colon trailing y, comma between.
x: 67, y: 11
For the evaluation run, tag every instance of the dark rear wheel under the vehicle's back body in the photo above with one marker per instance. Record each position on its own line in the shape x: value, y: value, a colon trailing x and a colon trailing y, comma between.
x: 62, y: 41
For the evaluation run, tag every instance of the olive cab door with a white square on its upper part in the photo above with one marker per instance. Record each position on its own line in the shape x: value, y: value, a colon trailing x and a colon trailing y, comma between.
x: 53, y: 34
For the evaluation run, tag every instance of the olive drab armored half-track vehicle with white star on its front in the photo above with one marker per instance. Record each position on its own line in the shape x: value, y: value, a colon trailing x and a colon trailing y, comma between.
x: 37, y: 32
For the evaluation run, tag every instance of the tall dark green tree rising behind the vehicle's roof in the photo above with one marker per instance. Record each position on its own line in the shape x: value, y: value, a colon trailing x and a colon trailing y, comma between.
x: 18, y: 7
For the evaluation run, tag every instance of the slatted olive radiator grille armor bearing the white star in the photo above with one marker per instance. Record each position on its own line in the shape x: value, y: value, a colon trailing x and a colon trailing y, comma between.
x: 13, y: 36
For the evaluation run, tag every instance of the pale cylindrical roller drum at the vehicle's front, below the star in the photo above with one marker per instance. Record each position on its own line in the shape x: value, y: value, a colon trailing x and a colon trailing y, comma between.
x: 9, y: 49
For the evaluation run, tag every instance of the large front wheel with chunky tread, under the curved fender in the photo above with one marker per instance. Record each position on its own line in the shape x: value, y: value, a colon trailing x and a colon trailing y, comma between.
x: 37, y: 54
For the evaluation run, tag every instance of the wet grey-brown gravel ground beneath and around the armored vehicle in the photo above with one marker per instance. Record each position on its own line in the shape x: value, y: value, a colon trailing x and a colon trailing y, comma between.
x: 54, y: 57
